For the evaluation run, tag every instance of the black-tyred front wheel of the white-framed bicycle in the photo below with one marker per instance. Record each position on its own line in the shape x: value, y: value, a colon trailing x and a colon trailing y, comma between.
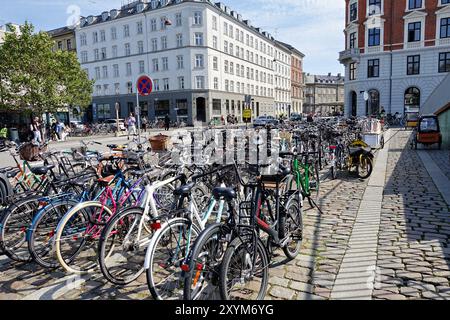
x: 121, y: 252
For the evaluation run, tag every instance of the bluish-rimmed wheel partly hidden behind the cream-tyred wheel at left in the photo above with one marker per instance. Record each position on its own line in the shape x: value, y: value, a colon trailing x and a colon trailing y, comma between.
x: 42, y: 231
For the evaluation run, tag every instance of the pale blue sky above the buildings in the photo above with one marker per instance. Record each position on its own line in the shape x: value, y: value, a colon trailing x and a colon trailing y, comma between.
x: 315, y: 27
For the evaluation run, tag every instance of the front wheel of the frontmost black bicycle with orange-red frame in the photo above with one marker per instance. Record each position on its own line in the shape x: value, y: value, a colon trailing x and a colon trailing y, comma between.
x: 232, y: 250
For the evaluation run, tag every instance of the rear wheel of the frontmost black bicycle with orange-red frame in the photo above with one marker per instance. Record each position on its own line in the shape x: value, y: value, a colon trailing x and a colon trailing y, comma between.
x: 292, y: 226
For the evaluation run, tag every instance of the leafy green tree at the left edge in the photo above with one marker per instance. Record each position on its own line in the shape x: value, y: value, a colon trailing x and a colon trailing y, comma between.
x: 34, y: 78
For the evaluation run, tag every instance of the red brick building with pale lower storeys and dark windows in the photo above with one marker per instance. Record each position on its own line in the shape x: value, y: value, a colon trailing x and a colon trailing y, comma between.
x: 397, y: 53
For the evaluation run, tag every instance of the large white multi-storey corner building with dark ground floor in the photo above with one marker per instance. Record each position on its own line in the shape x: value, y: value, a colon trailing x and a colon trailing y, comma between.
x: 203, y: 58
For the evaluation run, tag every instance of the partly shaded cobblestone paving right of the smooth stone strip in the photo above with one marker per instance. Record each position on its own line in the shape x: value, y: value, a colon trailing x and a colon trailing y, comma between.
x: 413, y: 253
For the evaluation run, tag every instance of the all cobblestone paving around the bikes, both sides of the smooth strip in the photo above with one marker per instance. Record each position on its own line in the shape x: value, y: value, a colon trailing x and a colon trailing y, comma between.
x: 412, y: 261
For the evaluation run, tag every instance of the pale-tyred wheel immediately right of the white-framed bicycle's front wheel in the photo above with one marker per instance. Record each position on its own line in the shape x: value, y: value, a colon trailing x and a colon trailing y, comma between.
x: 171, y: 268
